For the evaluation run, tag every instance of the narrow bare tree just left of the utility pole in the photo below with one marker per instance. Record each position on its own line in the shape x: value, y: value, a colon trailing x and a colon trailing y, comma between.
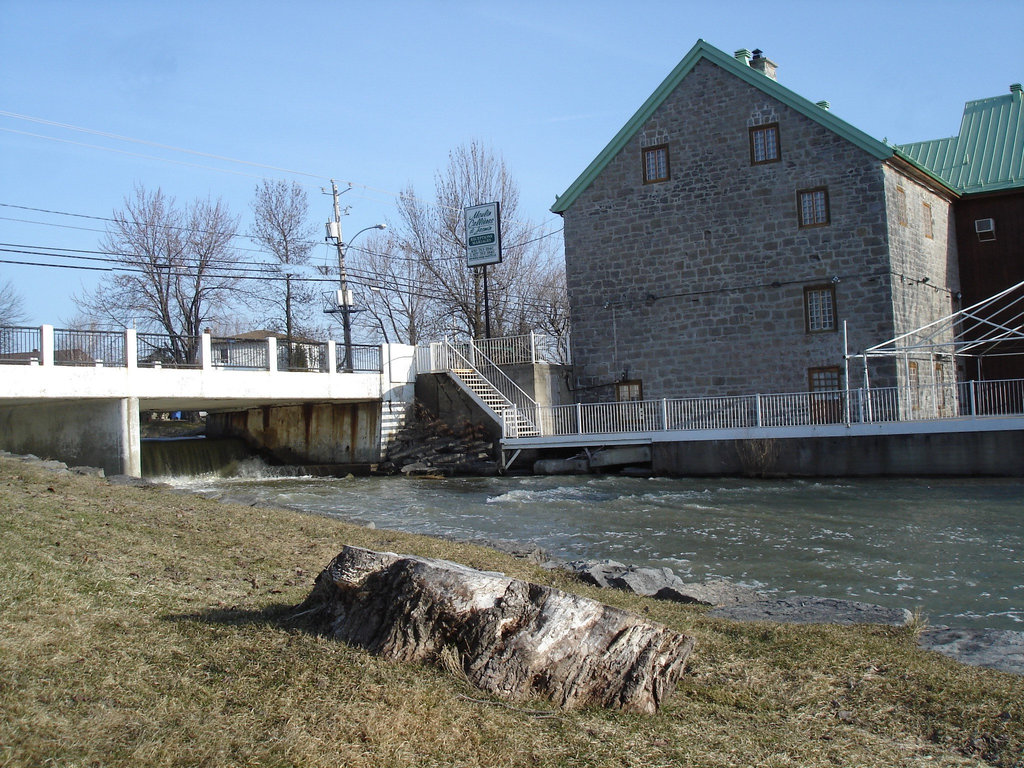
x: 282, y: 227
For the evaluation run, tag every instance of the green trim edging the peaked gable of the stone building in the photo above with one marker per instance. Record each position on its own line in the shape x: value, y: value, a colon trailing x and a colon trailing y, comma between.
x: 703, y: 51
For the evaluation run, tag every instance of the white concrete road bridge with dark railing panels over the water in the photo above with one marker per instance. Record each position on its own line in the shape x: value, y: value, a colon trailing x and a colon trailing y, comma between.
x: 77, y: 396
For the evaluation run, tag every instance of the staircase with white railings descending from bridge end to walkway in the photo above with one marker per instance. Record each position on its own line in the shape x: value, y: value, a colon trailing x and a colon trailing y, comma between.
x: 489, y: 387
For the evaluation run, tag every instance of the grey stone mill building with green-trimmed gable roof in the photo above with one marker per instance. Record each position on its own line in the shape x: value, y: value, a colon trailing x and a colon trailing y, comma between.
x: 737, y: 238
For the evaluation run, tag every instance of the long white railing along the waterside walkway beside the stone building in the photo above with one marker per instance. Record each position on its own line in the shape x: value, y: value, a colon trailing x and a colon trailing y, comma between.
x: 972, y: 399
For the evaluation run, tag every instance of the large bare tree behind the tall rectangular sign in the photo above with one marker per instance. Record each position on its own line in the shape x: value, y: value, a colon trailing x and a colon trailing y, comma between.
x: 433, y: 237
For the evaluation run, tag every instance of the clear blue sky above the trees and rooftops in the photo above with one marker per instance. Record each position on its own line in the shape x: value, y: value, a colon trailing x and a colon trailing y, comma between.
x: 378, y: 94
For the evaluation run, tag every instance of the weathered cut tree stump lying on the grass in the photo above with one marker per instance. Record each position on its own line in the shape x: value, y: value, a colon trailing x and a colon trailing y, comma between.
x: 513, y: 638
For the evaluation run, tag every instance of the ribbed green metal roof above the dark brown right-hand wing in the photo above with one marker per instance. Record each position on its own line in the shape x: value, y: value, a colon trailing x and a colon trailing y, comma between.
x: 989, y: 154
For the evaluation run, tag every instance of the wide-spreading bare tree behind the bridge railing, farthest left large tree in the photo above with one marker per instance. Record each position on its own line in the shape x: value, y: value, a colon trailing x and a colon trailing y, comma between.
x: 177, y: 269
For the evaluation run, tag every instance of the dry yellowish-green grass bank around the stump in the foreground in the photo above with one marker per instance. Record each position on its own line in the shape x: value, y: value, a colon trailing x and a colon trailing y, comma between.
x: 140, y: 627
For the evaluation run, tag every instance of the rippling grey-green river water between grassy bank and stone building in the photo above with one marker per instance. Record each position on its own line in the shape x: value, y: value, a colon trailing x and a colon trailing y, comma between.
x: 953, y: 548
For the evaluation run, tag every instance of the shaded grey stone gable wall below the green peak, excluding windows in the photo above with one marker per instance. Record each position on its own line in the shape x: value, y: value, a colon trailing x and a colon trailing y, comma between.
x: 696, y: 286
